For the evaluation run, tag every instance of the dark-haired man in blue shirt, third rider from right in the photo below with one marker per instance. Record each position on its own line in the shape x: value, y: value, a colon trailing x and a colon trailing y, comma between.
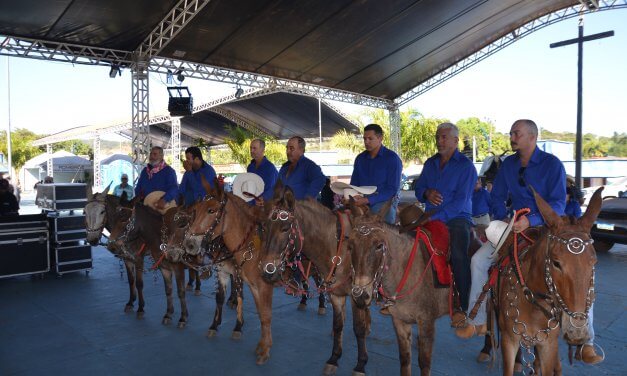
x: 381, y: 167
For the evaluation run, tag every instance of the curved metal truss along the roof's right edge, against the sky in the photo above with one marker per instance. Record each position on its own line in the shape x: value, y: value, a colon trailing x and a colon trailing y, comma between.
x: 439, y: 77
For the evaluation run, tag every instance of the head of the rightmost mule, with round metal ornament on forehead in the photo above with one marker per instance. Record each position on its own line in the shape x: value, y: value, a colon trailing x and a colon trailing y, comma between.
x: 569, y: 259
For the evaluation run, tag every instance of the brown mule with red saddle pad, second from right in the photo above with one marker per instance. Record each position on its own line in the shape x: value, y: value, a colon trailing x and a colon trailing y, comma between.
x: 381, y: 258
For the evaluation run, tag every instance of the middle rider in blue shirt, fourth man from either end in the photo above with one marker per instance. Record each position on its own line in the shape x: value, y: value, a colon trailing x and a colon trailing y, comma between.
x: 300, y: 173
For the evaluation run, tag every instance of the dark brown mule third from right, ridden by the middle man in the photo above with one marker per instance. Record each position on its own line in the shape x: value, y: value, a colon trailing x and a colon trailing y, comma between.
x: 288, y: 221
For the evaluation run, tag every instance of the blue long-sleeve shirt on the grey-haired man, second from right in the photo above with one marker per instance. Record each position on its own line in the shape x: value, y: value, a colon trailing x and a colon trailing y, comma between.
x: 455, y: 182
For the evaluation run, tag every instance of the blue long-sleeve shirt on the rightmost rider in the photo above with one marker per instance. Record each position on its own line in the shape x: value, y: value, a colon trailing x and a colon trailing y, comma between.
x: 544, y: 172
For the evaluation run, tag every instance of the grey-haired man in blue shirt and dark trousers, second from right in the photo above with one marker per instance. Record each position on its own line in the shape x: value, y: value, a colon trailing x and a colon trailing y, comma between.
x: 445, y: 186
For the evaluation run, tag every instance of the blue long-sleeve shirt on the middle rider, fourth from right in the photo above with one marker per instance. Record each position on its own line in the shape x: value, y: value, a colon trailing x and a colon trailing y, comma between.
x: 306, y: 180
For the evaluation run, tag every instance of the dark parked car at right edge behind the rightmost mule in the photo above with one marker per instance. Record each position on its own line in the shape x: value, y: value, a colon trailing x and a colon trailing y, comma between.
x: 611, y: 224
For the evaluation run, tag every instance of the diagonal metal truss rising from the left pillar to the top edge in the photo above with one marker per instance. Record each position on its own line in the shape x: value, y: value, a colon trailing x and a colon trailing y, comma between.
x: 182, y: 13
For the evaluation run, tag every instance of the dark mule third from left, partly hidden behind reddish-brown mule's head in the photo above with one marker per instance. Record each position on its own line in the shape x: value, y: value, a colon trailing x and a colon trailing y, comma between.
x: 176, y: 253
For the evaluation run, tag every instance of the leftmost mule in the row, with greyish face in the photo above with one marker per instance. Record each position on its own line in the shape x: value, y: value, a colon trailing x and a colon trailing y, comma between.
x: 104, y: 211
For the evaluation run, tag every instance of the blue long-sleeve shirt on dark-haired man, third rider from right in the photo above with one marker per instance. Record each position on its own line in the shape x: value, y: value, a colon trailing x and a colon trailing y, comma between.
x: 384, y: 171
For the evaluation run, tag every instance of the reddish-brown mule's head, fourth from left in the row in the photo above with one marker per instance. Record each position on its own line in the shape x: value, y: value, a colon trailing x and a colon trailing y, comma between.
x: 205, y: 215
